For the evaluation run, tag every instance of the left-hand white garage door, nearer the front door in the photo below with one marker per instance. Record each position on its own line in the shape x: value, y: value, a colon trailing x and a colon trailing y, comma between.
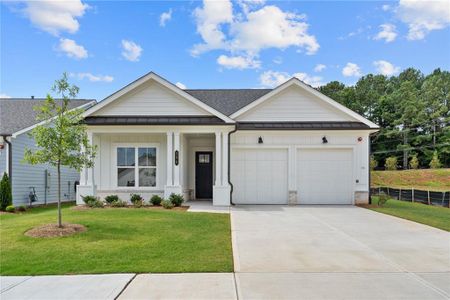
x: 259, y: 176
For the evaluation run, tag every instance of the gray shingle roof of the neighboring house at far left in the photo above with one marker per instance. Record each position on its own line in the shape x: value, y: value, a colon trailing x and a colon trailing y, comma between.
x: 18, y: 113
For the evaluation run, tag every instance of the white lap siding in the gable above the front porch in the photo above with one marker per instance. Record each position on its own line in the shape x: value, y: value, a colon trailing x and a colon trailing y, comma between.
x: 151, y: 99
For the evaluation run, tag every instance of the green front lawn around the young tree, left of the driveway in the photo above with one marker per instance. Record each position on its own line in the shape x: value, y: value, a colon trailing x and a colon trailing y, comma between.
x: 118, y: 240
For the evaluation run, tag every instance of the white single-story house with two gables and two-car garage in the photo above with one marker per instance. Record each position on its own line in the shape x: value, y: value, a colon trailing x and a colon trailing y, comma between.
x: 289, y: 145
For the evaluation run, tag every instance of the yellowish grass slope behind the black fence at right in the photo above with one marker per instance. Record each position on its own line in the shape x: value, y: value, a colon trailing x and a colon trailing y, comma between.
x: 430, y: 179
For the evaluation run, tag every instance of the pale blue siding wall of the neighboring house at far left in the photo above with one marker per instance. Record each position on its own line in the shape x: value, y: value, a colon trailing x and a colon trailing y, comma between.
x: 25, y: 175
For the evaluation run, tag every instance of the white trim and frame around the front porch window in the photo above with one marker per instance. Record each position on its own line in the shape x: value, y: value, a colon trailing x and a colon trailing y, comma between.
x: 136, y: 168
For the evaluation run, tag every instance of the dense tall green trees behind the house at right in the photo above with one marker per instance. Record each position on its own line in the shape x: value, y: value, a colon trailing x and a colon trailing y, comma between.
x: 412, y: 109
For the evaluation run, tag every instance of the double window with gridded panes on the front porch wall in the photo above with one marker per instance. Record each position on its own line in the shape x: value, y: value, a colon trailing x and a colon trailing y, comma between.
x: 142, y: 174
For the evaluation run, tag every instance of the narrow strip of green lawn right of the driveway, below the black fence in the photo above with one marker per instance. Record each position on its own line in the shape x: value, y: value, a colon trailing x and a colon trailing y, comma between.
x: 435, y: 216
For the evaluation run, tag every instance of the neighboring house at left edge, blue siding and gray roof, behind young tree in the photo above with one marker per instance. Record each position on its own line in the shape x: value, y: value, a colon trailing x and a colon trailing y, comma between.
x: 17, y: 119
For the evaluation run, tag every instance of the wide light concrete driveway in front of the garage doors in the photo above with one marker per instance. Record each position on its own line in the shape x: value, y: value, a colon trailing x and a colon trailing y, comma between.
x: 336, y: 252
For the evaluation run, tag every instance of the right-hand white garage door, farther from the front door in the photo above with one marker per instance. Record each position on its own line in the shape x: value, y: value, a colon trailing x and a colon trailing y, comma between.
x: 324, y: 176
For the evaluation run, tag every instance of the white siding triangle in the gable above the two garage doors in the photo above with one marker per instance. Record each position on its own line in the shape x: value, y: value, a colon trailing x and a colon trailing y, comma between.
x: 294, y: 104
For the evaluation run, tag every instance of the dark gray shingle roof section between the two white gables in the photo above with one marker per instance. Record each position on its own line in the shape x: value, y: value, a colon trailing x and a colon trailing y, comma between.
x: 228, y: 101
